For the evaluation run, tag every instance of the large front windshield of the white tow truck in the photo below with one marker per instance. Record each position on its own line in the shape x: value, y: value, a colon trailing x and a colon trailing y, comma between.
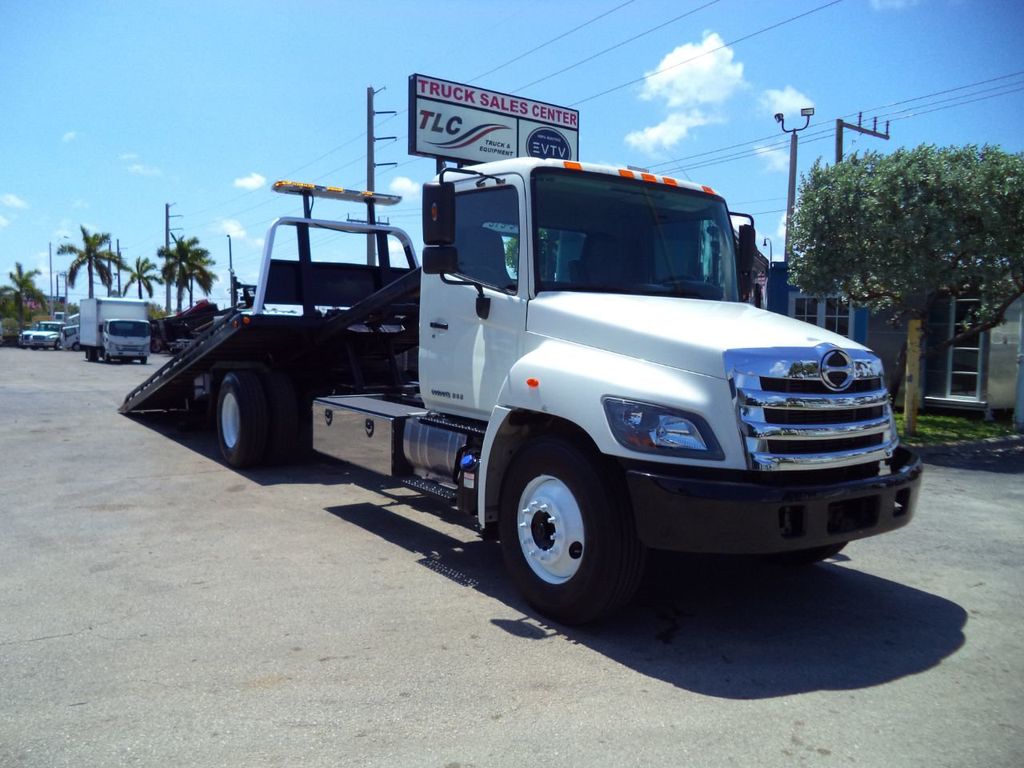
x: 600, y: 233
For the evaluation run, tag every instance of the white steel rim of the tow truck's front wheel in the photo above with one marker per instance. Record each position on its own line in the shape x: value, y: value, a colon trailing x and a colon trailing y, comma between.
x: 551, y: 531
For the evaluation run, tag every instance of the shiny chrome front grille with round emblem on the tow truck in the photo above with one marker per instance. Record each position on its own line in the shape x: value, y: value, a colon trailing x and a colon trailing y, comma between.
x: 790, y: 419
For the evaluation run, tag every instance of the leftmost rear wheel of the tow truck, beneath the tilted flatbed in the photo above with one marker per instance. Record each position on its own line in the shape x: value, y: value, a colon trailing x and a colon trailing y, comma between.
x: 242, y: 419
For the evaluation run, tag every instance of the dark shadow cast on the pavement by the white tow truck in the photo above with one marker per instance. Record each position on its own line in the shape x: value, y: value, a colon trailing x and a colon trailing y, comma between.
x: 729, y: 627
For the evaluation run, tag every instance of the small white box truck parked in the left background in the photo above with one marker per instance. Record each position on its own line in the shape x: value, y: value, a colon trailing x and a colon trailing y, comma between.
x: 114, y: 329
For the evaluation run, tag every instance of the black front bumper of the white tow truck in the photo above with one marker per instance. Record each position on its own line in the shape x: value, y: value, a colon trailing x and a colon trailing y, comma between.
x: 718, y: 517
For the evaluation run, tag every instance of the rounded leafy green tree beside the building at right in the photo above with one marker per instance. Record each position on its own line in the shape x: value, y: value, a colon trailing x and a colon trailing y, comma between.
x: 898, y: 234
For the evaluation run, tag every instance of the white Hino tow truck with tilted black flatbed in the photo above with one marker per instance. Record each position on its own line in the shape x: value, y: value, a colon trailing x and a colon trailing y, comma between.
x: 572, y: 367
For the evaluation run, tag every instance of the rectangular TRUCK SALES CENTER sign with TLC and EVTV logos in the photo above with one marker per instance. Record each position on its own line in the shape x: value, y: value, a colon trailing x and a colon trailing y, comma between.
x: 466, y: 124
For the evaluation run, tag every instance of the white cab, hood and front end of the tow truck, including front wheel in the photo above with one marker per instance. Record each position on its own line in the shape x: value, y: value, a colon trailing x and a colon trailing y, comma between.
x: 589, y: 318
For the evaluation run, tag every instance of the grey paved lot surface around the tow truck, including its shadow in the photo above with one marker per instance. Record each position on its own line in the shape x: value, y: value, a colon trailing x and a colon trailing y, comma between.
x: 160, y: 610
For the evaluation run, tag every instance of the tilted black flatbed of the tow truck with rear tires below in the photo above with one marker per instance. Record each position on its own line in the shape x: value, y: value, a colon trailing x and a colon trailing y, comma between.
x: 316, y: 329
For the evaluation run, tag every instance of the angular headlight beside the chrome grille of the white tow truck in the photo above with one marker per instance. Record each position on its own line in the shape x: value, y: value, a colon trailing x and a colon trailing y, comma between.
x: 656, y: 430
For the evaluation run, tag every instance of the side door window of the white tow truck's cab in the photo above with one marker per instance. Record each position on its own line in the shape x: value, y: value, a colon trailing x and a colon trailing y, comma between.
x: 488, y: 237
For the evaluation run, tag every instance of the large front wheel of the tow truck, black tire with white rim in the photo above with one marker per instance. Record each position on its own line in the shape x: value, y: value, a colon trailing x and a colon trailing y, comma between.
x: 595, y: 559
